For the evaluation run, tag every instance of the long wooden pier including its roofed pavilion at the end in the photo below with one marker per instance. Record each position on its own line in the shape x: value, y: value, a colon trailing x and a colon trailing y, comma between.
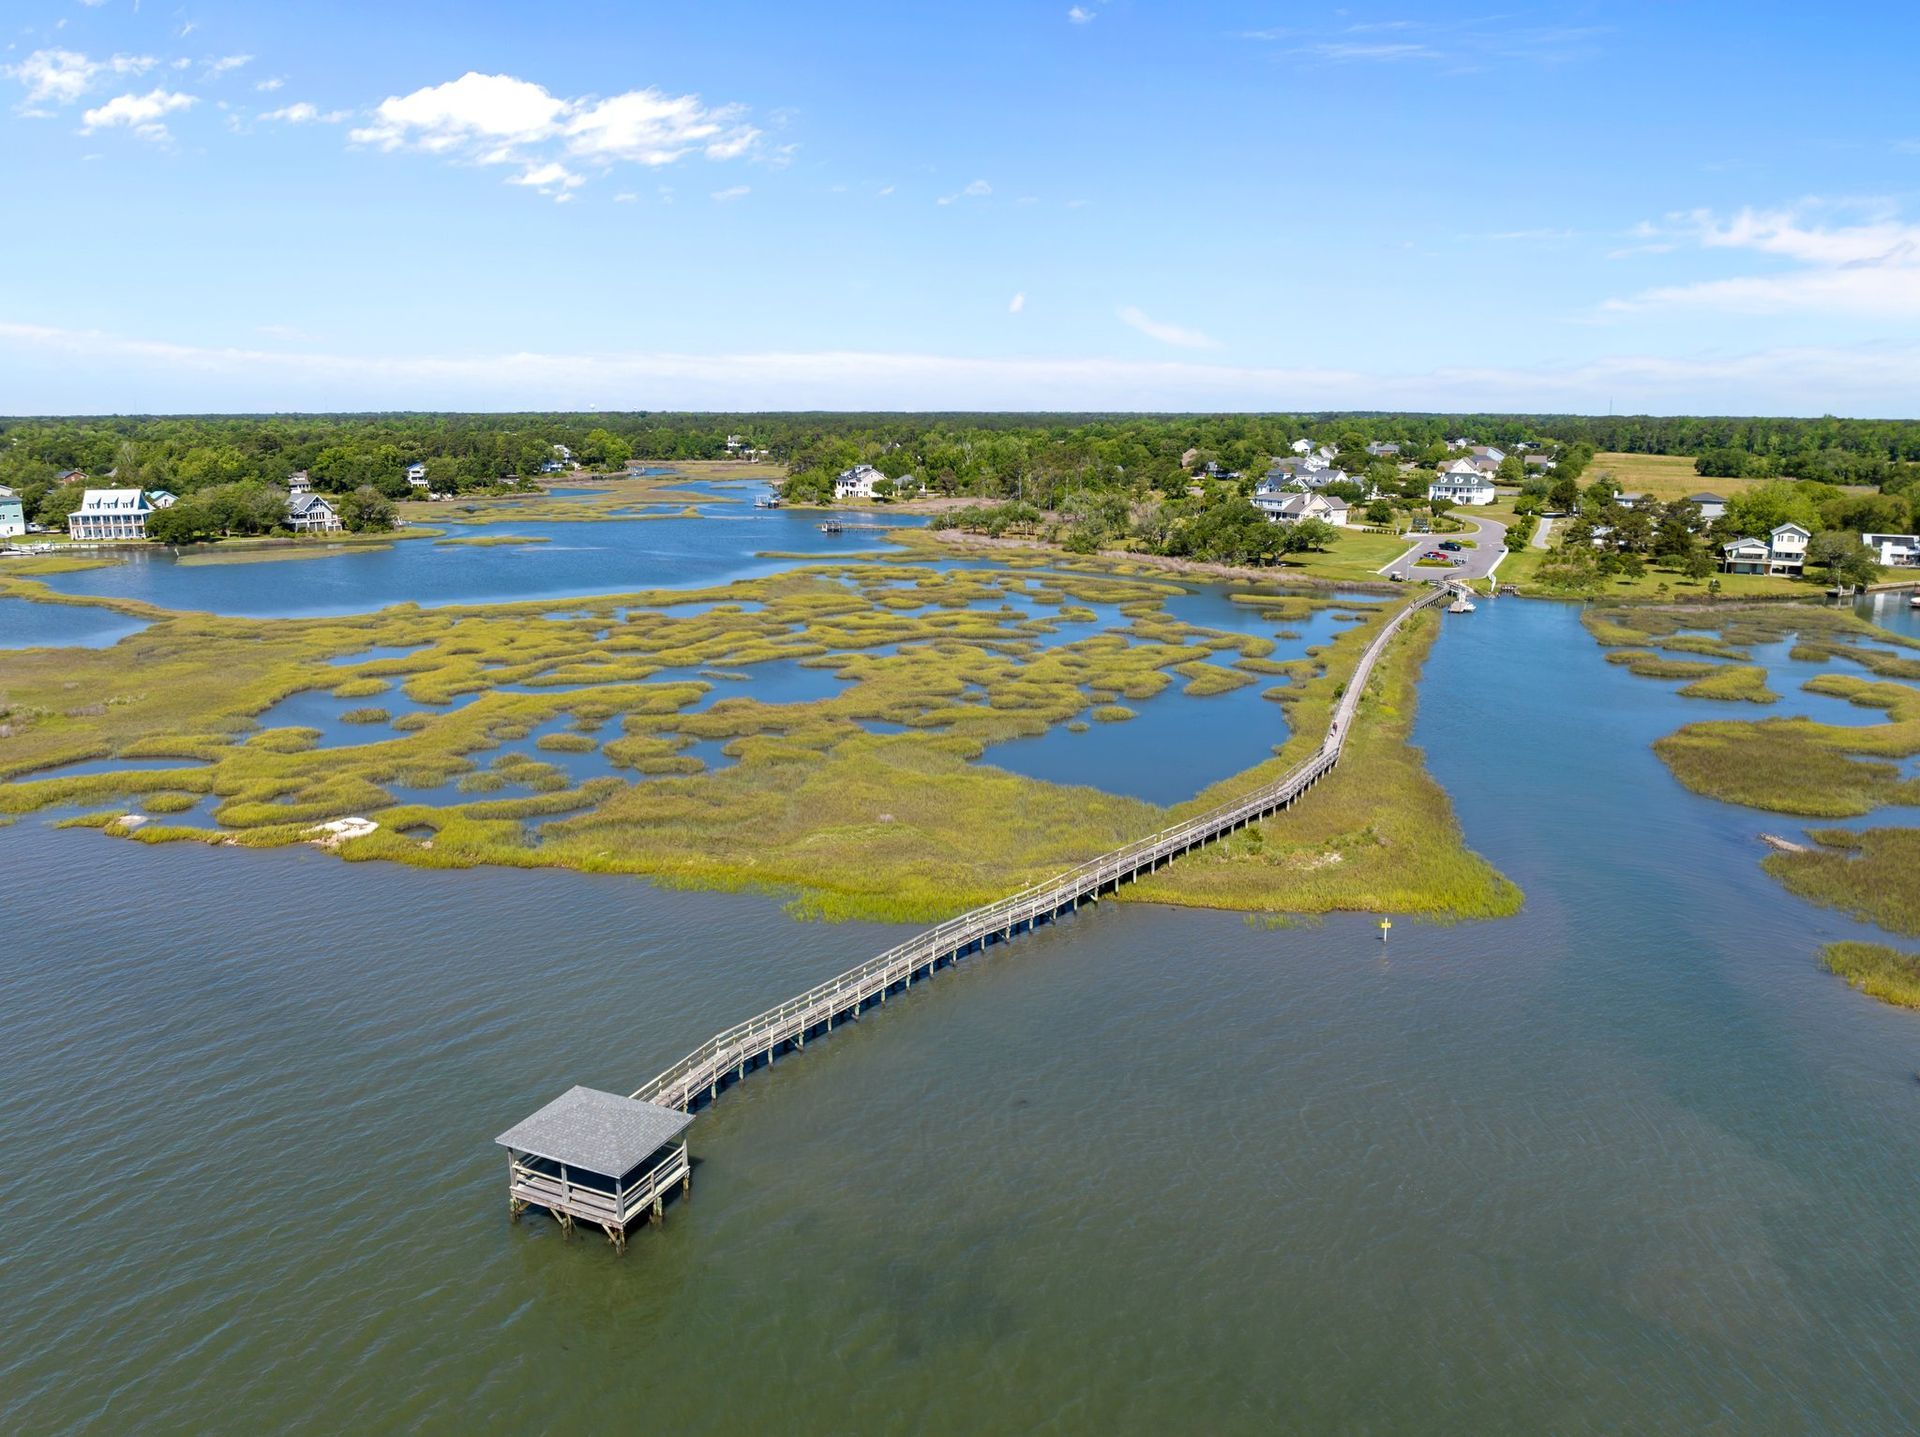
x: 608, y: 1159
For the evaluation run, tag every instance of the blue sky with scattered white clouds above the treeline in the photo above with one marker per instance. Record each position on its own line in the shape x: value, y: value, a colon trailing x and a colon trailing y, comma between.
x: 1116, y: 205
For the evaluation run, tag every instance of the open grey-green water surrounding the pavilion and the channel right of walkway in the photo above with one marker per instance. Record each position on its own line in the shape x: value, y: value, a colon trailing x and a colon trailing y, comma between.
x: 1625, y: 1163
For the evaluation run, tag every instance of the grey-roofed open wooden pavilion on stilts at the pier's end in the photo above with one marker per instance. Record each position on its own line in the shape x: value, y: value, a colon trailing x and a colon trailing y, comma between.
x: 596, y: 1157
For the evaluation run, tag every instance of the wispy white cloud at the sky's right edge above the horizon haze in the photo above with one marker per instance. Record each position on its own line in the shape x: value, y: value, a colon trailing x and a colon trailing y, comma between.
x: 1863, y: 268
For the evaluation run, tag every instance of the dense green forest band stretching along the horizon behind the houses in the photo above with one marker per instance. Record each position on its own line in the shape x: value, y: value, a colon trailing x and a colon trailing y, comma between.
x: 1090, y: 468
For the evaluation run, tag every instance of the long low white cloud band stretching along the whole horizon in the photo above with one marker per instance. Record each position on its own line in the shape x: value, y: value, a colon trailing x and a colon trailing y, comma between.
x: 76, y: 372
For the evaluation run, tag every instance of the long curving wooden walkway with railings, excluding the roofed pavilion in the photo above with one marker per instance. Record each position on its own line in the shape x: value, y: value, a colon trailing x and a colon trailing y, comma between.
x: 729, y: 1056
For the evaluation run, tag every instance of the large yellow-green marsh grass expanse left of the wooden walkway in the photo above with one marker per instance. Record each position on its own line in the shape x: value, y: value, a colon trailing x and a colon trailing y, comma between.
x: 857, y: 825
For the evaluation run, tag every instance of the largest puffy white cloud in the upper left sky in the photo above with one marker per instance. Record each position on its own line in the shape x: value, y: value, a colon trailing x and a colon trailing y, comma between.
x: 494, y: 120
